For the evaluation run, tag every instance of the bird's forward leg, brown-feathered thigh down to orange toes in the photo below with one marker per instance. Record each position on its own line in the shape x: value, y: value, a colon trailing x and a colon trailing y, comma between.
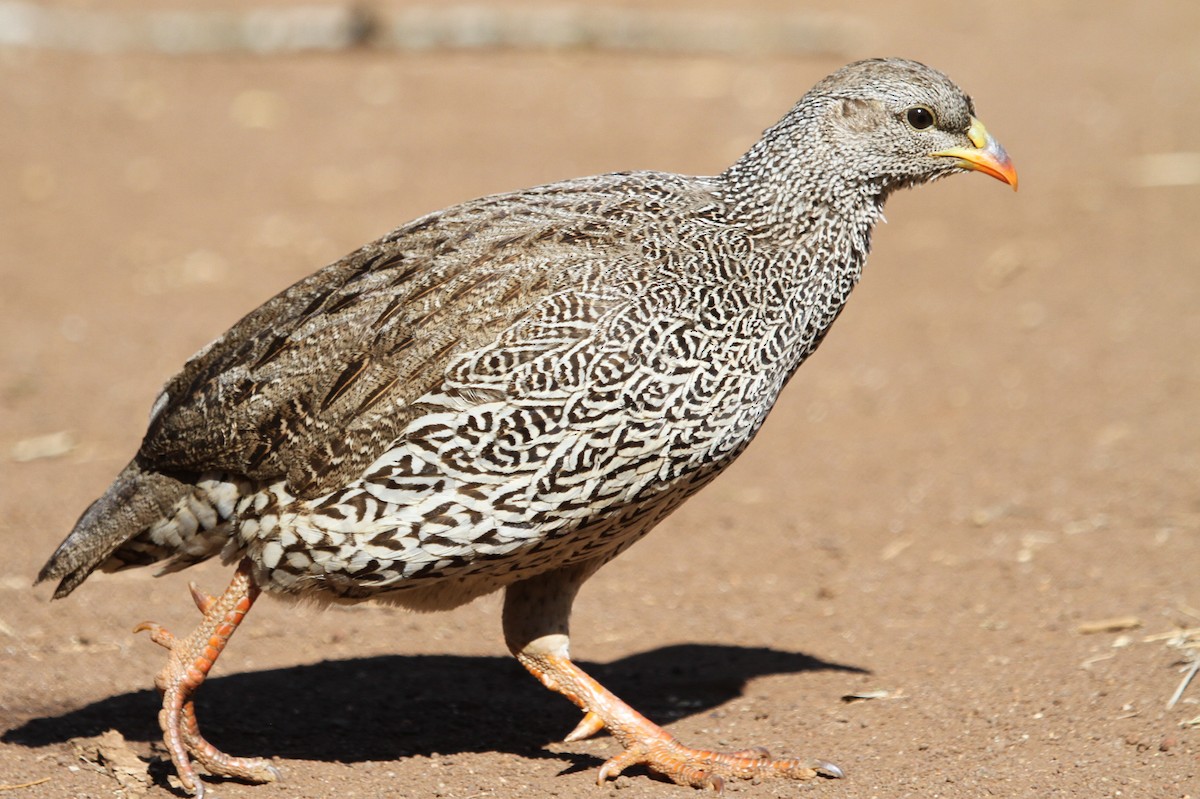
x: 536, y: 627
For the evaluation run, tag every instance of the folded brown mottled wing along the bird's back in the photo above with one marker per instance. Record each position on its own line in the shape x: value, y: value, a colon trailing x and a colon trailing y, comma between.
x: 313, y: 386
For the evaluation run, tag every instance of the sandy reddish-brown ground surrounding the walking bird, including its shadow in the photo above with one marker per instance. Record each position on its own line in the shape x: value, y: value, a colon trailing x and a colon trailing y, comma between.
x: 997, y: 446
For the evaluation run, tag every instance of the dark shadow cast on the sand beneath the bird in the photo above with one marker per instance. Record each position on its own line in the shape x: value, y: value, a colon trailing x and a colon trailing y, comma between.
x: 398, y: 706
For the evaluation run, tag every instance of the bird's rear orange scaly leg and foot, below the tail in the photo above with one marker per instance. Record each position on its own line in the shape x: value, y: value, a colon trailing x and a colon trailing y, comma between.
x: 190, y: 662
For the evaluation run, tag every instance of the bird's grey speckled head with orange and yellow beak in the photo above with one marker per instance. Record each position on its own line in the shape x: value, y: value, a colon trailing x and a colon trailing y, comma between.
x: 898, y: 123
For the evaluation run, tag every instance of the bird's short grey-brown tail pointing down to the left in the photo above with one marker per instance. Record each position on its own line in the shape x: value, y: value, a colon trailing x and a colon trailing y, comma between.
x: 136, y: 501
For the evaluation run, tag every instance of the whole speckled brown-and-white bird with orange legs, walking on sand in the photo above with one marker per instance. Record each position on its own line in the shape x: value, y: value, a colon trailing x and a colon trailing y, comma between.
x: 509, y: 393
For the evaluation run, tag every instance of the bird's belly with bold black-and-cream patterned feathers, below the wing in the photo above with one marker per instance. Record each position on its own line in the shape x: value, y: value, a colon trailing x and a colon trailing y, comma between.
x: 477, y: 501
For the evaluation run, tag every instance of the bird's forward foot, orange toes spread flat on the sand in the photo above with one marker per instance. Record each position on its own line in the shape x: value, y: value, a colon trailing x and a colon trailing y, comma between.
x: 661, y: 753
